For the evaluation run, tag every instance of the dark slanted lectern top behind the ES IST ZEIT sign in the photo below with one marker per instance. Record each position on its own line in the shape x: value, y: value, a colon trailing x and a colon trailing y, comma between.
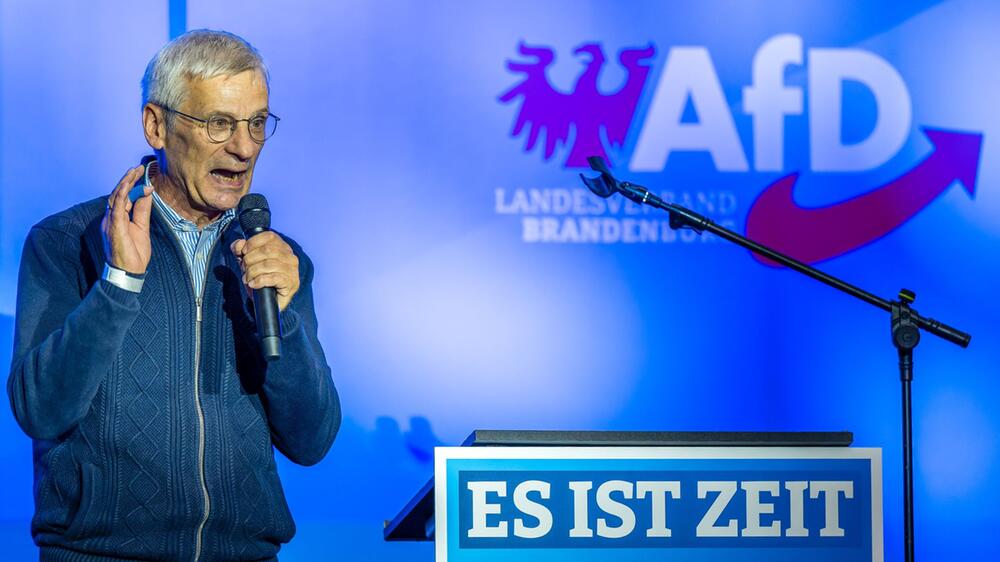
x: 415, y: 521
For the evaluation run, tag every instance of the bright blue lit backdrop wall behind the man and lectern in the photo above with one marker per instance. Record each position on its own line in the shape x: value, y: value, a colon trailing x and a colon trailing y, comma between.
x: 466, y: 281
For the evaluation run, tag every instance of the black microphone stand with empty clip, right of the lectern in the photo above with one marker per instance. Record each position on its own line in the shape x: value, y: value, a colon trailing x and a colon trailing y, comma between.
x: 905, y: 322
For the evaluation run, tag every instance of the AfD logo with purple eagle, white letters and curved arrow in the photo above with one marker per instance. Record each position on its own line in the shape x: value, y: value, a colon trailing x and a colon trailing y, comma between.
x: 599, y: 123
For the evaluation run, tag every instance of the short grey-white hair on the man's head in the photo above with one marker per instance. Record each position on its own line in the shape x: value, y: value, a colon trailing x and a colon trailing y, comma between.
x: 199, y: 54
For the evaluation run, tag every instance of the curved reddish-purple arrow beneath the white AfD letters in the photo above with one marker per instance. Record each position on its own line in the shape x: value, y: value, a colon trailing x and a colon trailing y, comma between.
x: 819, y: 233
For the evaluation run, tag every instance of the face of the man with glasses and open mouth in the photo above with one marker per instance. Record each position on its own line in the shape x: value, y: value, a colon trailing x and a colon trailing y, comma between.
x: 213, y: 176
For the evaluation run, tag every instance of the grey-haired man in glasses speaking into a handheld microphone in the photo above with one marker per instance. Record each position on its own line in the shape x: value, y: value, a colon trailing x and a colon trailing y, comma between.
x: 136, y: 369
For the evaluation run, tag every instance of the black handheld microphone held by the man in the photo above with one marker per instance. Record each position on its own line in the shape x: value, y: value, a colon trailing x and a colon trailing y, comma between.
x: 255, y: 217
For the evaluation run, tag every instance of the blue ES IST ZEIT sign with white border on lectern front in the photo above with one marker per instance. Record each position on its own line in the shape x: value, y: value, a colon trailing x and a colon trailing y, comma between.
x: 627, y: 504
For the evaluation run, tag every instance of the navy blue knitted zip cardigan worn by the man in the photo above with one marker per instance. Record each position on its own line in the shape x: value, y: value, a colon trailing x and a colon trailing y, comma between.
x: 153, y: 432
